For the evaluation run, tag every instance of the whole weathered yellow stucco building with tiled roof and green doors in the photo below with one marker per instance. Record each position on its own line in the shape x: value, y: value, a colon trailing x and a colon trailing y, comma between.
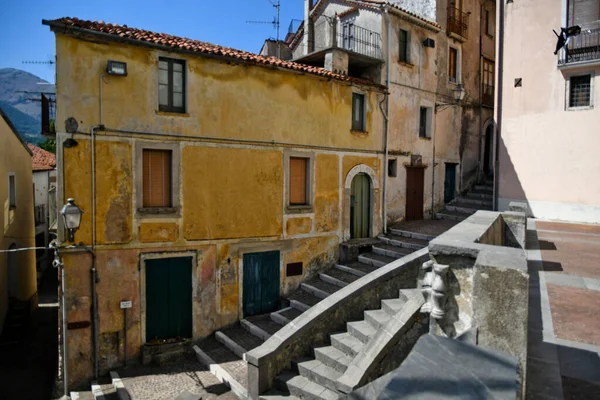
x: 203, y: 173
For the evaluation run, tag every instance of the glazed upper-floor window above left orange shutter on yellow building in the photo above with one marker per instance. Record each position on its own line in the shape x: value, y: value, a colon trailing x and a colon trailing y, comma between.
x: 171, y: 85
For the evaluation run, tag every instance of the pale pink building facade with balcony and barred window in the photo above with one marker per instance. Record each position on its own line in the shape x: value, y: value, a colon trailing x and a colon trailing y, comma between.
x: 548, y: 109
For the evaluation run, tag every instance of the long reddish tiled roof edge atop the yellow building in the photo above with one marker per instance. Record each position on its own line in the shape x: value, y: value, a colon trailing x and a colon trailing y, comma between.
x: 124, y: 32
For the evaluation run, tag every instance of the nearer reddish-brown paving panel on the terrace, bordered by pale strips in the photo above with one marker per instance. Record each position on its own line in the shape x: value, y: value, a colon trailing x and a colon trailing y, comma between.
x: 575, y: 313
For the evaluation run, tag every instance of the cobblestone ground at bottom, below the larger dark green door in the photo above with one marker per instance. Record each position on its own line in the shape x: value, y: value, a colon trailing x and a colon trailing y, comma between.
x: 167, y: 381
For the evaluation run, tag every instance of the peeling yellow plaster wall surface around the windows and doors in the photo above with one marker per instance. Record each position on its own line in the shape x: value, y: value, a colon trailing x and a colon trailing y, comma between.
x: 232, y: 193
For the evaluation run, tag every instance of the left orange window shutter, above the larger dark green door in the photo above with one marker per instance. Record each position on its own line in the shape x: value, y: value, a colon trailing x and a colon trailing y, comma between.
x: 157, y: 178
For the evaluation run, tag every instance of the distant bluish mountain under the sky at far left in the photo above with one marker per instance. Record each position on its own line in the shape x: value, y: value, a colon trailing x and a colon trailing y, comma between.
x: 24, y: 113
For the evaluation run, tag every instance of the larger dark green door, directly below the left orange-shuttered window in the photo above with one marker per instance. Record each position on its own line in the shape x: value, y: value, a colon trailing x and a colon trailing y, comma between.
x: 169, y: 298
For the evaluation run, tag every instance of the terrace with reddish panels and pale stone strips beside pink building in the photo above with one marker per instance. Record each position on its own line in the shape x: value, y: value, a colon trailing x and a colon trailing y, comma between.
x: 564, y: 328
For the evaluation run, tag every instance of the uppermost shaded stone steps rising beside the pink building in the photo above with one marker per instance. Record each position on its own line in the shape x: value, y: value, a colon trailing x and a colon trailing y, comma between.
x: 479, y: 198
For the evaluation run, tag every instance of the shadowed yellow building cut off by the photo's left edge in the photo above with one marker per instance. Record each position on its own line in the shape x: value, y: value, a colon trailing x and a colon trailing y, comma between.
x: 18, y: 287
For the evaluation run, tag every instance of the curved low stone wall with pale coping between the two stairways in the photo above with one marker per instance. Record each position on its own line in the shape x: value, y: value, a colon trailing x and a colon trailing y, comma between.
x: 314, y: 325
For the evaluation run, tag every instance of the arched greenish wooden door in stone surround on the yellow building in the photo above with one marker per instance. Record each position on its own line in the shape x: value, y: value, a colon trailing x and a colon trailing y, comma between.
x: 360, y: 206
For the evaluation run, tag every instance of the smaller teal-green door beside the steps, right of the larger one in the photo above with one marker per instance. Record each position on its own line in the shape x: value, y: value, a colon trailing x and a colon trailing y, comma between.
x: 261, y: 283
